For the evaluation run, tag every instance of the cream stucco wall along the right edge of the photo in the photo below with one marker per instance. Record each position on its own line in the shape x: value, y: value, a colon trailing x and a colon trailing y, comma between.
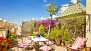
x: 88, y: 20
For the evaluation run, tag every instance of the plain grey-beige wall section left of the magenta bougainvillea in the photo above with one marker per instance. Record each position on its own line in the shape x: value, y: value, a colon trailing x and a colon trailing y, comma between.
x: 28, y: 26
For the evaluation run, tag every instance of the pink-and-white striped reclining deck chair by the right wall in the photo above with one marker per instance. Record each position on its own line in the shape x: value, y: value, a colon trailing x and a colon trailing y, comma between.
x: 78, y: 44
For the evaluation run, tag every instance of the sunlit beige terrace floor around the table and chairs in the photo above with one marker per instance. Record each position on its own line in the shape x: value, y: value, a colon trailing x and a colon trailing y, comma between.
x: 14, y: 48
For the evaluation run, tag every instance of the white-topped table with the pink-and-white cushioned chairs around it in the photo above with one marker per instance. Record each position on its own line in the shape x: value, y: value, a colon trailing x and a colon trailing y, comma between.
x: 39, y: 43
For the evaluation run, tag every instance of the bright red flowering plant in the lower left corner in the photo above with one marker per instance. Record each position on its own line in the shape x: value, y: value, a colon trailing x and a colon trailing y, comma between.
x: 4, y: 43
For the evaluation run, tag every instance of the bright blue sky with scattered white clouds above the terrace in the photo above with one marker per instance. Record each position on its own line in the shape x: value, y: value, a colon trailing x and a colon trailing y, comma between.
x: 20, y: 10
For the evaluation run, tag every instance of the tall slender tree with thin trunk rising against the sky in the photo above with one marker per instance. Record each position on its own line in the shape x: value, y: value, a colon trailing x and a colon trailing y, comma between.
x: 52, y: 9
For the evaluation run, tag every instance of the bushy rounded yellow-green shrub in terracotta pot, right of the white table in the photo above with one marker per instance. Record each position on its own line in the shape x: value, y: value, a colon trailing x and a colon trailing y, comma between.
x: 55, y: 34
